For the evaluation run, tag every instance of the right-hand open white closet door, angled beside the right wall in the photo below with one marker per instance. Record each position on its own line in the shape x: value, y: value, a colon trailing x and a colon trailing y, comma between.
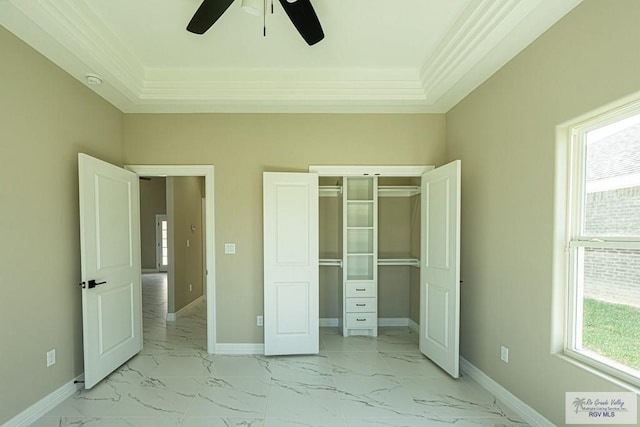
x: 440, y: 267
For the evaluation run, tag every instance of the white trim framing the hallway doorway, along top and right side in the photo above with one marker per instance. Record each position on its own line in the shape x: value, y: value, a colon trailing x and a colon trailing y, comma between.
x: 207, y: 171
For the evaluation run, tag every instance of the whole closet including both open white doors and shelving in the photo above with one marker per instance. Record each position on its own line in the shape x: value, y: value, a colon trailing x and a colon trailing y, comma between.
x: 367, y: 245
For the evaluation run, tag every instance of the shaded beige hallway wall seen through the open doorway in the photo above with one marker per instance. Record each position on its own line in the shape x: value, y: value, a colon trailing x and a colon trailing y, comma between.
x: 187, y: 266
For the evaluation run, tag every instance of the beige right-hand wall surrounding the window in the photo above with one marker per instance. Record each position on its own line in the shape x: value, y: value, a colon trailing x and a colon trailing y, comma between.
x: 504, y: 134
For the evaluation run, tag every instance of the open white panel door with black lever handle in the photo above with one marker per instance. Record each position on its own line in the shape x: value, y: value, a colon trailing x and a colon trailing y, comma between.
x: 110, y: 267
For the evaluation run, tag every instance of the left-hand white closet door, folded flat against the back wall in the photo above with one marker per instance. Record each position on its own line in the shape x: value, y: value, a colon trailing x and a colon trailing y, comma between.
x: 291, y: 263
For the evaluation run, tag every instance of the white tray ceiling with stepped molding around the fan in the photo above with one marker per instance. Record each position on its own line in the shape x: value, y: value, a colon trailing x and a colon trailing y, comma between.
x: 377, y: 55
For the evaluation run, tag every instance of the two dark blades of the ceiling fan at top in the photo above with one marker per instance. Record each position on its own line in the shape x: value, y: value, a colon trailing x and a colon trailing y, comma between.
x: 300, y: 12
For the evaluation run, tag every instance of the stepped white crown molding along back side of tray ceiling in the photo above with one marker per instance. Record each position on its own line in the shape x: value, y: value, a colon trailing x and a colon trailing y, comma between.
x: 284, y: 85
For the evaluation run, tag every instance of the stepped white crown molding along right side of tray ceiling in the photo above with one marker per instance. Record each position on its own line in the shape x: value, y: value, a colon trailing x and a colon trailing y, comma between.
x: 486, y: 36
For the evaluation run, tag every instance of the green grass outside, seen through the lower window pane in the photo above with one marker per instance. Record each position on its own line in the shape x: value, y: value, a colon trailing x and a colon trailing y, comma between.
x: 613, y: 331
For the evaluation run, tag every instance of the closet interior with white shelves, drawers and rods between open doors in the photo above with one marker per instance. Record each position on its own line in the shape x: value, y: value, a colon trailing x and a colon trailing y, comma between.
x: 369, y: 253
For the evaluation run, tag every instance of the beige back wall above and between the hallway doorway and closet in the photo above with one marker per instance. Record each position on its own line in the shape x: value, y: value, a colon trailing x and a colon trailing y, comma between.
x: 241, y: 147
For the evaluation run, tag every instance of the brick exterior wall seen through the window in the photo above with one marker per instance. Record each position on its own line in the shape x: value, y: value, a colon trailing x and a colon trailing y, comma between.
x: 613, y: 275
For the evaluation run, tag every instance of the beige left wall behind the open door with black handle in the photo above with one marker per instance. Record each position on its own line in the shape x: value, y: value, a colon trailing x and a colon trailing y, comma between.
x: 46, y: 118
